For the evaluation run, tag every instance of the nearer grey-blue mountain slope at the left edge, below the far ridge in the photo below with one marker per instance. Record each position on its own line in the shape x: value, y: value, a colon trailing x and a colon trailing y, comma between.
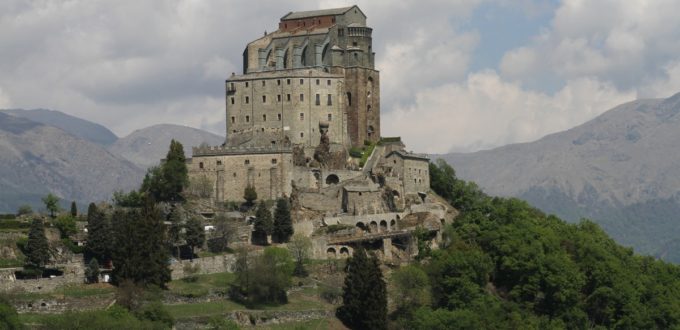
x: 38, y: 159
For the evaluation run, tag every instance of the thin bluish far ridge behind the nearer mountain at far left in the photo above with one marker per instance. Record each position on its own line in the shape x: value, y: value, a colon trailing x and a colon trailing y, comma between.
x: 81, y: 128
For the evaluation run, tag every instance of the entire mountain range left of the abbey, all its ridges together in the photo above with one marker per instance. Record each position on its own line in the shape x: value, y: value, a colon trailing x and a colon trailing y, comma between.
x: 47, y: 151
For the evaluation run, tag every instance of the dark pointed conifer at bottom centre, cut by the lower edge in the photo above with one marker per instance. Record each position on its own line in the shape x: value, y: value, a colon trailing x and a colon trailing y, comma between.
x: 364, y: 294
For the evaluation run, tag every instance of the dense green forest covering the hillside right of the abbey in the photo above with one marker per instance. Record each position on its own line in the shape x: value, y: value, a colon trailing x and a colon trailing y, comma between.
x: 508, y: 265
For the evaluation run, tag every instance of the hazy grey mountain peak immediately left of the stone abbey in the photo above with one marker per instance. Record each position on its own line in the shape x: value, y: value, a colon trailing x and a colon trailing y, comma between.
x: 147, y: 146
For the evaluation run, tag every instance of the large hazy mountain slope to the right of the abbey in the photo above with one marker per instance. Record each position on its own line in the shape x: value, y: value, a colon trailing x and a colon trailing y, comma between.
x: 621, y: 169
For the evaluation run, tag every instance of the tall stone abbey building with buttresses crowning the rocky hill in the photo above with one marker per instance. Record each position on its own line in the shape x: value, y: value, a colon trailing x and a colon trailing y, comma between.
x: 316, y: 71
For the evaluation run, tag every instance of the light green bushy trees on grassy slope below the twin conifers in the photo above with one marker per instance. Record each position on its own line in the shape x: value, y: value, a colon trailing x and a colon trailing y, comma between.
x: 263, y: 279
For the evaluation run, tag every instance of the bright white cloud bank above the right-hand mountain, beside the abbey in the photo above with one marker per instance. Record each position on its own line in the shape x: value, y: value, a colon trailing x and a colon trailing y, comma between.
x: 486, y: 111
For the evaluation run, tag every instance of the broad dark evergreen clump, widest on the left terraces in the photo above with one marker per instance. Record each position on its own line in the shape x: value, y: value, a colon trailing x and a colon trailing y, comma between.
x: 140, y: 253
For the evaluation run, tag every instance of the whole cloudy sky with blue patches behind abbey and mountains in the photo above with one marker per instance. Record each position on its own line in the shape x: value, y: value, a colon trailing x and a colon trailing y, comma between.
x: 478, y: 74
